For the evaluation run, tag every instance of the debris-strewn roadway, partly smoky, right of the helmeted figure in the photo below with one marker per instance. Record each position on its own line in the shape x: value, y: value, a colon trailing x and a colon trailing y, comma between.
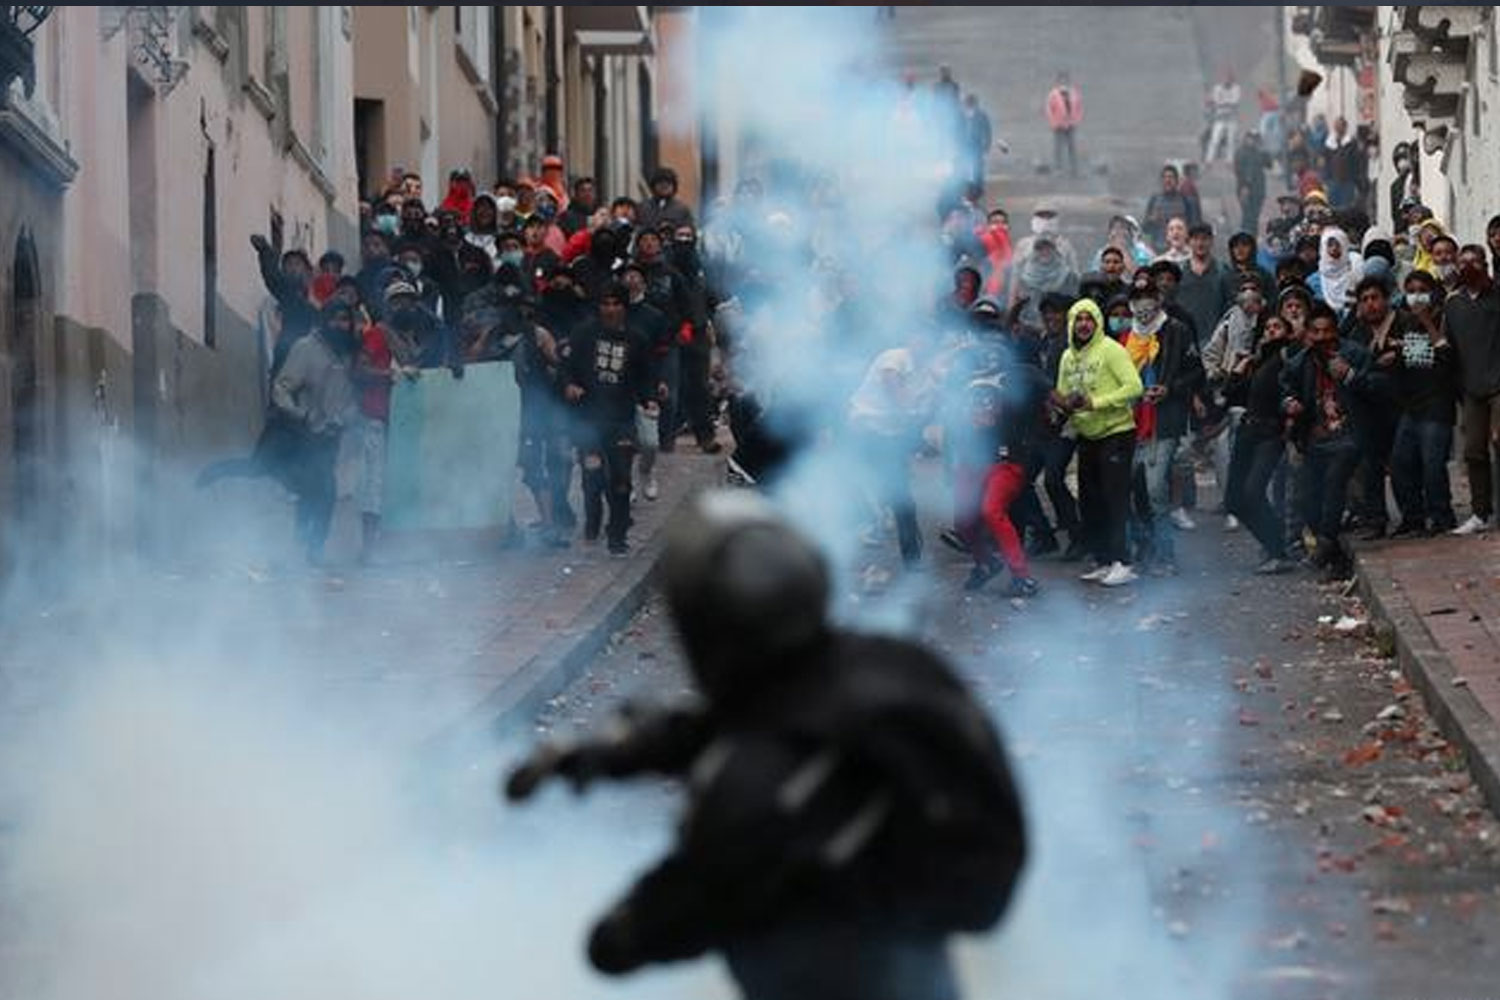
x: 1201, y: 767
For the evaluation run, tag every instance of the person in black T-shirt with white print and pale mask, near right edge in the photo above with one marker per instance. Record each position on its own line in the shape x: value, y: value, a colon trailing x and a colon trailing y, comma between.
x: 1427, y: 397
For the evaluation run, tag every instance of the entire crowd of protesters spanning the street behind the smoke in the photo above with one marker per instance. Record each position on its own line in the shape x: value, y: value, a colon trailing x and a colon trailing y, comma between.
x: 1319, y: 362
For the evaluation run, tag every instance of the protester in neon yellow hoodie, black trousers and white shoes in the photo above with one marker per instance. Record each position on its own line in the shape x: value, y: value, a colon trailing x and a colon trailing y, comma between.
x: 1097, y: 389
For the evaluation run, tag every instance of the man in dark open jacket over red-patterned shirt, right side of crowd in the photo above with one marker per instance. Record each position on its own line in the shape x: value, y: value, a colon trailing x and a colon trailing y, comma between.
x: 1322, y: 388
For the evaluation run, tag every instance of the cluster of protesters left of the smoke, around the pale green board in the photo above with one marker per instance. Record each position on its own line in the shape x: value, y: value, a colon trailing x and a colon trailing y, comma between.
x: 602, y: 310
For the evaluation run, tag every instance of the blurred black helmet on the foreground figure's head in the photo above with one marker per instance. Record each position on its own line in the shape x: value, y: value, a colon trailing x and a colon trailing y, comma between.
x: 749, y: 593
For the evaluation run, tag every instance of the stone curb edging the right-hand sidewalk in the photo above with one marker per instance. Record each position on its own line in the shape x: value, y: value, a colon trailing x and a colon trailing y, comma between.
x: 1456, y: 710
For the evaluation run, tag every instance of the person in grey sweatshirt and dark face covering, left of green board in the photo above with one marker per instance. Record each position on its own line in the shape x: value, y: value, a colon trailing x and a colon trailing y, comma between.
x: 313, y: 392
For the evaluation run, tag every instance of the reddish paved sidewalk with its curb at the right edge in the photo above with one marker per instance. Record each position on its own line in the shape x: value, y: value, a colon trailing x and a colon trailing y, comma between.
x: 1442, y: 599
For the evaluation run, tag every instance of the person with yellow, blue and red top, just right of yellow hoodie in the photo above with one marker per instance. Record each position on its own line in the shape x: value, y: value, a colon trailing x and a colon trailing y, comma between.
x: 1165, y: 355
